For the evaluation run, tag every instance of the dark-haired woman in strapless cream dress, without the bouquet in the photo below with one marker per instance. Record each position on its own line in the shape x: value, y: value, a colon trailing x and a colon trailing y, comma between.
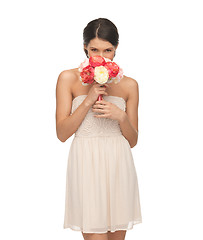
x: 102, y: 196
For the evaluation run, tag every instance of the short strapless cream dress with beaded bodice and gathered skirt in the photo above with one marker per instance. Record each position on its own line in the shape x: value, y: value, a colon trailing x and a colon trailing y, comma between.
x: 101, y: 182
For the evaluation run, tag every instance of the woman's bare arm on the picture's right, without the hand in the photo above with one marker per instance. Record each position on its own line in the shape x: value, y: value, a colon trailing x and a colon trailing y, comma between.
x: 129, y: 119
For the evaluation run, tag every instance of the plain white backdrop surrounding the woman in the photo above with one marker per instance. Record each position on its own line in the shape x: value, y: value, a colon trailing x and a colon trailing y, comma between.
x: 161, y: 47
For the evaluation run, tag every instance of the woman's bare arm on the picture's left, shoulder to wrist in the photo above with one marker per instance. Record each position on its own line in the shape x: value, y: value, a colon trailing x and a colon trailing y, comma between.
x: 66, y: 124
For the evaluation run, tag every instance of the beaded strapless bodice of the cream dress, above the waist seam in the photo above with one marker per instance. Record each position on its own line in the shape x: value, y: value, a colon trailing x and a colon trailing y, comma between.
x: 92, y: 126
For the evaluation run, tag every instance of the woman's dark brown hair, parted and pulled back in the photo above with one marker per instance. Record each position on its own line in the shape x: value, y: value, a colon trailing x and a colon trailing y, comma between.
x: 101, y: 28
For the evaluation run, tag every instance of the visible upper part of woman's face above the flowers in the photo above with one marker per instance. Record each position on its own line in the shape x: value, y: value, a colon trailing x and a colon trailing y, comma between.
x: 100, y: 47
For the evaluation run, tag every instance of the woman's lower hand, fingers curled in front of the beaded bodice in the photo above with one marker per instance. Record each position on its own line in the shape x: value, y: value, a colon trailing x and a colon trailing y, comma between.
x: 108, y: 110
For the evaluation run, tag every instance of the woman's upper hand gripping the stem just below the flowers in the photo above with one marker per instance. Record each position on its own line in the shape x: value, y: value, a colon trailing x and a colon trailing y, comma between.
x: 95, y: 91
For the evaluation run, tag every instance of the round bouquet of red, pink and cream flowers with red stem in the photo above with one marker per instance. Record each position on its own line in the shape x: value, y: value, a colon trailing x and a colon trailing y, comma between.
x: 99, y: 69
